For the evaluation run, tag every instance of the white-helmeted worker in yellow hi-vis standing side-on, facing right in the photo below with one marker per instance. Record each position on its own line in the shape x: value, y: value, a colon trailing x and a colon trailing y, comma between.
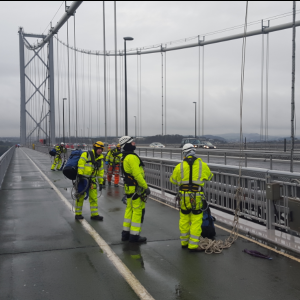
x: 136, y: 190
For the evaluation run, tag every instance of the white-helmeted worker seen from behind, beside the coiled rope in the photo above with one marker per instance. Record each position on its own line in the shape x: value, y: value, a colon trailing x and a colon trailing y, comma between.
x: 190, y: 176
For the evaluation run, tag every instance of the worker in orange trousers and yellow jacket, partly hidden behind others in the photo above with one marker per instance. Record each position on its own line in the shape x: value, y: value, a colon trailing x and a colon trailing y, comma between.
x: 113, y: 160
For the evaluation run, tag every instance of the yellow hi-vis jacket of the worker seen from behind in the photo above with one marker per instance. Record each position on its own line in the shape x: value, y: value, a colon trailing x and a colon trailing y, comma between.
x: 201, y: 173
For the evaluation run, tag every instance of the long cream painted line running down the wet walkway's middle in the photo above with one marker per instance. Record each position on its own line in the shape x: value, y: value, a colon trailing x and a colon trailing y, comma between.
x: 138, y: 288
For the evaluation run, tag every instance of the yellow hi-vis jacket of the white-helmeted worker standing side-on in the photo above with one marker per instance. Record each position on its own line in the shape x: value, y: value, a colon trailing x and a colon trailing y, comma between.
x: 131, y: 165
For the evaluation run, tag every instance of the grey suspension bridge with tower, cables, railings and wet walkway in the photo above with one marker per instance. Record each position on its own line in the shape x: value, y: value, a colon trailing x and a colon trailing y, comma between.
x: 45, y: 254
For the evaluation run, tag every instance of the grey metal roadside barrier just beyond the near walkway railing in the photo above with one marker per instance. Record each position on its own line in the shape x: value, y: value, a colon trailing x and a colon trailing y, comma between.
x: 243, y: 156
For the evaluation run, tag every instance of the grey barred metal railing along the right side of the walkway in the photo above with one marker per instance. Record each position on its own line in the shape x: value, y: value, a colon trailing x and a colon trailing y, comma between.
x: 220, y: 191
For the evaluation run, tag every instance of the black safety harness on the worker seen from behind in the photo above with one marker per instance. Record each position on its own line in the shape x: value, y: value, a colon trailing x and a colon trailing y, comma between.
x: 192, y: 190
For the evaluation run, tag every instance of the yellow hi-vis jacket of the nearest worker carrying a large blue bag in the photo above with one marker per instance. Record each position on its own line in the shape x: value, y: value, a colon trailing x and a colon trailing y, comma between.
x: 86, y: 167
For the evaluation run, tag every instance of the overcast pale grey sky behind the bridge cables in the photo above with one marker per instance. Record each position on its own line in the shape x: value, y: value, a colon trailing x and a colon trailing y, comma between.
x: 151, y: 23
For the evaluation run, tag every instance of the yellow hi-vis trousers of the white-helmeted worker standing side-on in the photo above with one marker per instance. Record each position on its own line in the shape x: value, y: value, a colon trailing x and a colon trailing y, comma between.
x: 133, y: 219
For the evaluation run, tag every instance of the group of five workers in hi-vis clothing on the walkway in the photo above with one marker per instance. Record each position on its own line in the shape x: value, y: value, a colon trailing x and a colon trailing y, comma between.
x: 189, y: 176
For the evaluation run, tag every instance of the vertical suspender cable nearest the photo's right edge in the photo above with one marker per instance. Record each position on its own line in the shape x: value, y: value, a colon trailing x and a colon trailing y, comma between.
x: 293, y: 86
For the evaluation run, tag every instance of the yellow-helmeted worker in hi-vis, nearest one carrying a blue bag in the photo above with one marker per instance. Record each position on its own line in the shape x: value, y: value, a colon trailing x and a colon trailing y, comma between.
x: 90, y: 170
